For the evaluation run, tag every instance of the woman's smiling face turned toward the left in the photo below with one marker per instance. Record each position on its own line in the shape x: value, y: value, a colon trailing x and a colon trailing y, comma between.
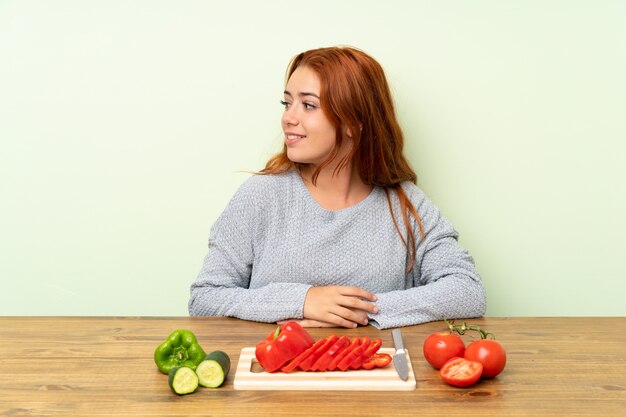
x: 309, y: 135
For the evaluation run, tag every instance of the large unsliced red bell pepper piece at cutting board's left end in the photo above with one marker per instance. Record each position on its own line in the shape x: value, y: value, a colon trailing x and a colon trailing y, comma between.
x: 282, y: 345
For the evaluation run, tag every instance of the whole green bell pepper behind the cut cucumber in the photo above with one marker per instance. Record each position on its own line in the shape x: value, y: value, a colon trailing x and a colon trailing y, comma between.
x: 179, y: 349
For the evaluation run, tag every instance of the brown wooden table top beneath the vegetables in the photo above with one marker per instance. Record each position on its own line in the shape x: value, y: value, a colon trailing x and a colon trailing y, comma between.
x: 94, y: 366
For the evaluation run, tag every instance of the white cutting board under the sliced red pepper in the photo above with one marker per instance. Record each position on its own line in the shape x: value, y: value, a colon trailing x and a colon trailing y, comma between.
x: 378, y: 379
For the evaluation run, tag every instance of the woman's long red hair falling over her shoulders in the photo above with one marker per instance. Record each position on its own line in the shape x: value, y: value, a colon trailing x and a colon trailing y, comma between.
x: 355, y: 96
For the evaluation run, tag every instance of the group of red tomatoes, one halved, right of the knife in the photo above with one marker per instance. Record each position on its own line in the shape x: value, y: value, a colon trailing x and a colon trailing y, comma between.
x: 460, y: 365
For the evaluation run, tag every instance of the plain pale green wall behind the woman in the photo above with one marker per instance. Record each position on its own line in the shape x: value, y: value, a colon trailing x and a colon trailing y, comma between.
x: 124, y: 128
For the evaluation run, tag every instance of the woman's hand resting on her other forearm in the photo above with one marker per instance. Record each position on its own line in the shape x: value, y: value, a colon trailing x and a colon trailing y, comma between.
x: 337, y: 306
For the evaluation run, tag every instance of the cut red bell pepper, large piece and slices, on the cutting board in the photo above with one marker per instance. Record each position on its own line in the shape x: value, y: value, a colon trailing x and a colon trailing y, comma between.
x: 290, y: 348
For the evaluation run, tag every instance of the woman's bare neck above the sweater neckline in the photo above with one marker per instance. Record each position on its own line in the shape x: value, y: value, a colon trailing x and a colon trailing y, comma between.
x: 336, y: 190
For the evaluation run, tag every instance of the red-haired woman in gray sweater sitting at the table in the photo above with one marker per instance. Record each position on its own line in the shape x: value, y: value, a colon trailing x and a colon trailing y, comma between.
x: 334, y: 231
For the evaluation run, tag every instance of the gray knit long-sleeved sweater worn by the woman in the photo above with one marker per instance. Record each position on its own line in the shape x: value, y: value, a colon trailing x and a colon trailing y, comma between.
x: 273, y: 242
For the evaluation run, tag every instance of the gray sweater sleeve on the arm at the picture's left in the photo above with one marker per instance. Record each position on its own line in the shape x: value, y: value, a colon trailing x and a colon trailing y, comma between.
x: 223, y: 286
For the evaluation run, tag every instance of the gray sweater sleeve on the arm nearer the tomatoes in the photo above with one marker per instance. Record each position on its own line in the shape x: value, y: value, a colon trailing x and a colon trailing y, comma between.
x: 445, y: 282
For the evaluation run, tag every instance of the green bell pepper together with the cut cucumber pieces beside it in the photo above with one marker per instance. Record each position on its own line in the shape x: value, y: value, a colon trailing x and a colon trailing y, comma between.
x: 183, y: 359
